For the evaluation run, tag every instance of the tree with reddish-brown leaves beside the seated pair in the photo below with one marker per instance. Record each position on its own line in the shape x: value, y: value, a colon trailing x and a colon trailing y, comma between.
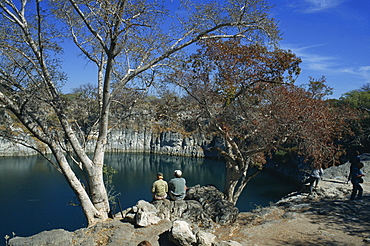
x: 245, y: 93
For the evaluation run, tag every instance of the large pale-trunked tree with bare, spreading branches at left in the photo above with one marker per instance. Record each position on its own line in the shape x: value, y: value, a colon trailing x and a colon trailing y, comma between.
x: 132, y: 46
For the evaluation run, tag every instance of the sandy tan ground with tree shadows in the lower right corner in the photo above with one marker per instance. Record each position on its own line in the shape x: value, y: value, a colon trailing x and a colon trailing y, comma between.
x: 334, y: 221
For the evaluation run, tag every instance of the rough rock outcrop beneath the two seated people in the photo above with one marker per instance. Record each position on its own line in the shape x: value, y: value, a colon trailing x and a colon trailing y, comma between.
x: 202, y: 205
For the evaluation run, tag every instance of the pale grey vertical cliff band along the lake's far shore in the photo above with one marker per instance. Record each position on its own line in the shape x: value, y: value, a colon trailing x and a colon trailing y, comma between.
x: 127, y: 140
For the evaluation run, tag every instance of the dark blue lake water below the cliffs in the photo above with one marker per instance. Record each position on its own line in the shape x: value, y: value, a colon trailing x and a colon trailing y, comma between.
x: 35, y: 197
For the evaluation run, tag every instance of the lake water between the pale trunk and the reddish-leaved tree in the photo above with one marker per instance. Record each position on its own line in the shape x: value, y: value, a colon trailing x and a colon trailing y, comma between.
x: 137, y: 172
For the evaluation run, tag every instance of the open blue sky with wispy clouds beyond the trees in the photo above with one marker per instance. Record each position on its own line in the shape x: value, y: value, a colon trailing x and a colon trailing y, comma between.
x: 332, y: 37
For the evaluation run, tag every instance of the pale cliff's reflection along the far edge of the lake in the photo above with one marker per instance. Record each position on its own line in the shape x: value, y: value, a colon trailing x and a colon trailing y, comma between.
x: 130, y: 166
